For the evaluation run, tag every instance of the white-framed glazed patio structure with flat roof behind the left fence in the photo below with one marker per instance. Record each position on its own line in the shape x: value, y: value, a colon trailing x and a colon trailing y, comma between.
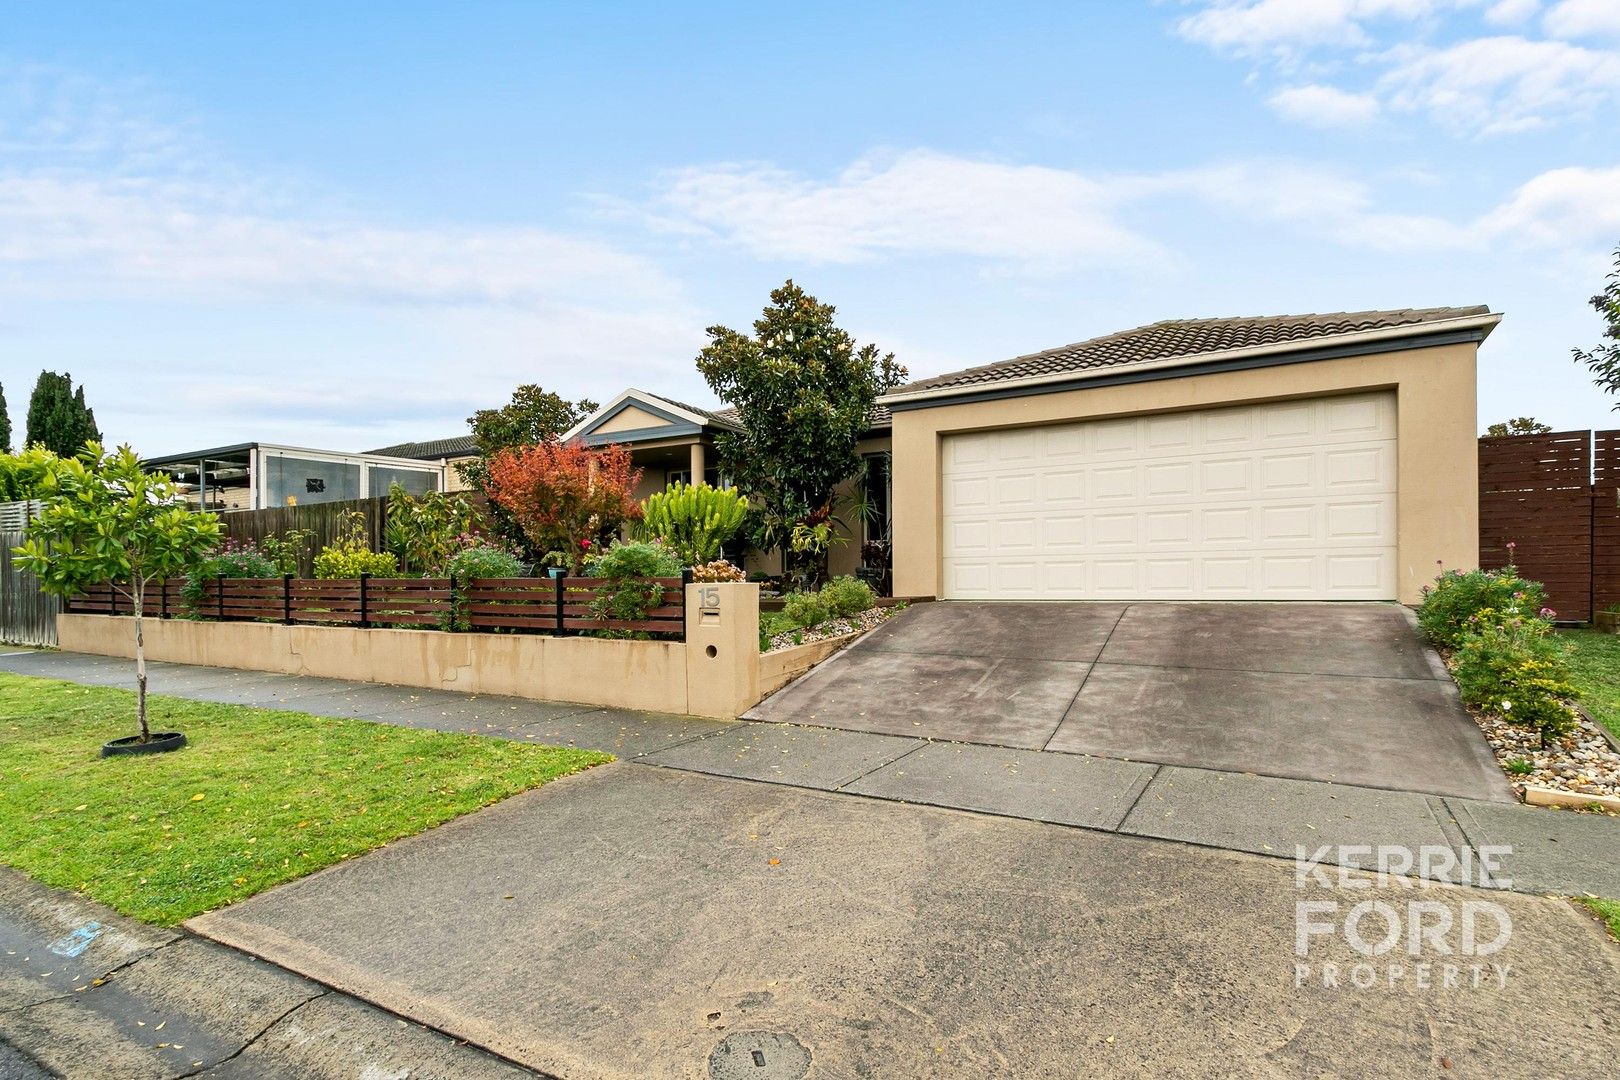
x: 260, y: 475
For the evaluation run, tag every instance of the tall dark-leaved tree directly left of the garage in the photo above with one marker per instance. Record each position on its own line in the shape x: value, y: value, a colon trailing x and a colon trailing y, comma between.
x: 803, y: 389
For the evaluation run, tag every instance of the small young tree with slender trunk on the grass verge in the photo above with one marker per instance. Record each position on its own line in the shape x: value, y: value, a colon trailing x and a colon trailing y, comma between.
x: 106, y: 521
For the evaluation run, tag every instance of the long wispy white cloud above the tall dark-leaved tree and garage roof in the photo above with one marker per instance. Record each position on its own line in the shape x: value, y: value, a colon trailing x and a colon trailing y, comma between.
x: 919, y: 203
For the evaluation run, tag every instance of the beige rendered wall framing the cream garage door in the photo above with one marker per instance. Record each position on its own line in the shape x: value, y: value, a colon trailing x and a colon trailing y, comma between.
x: 1438, y: 503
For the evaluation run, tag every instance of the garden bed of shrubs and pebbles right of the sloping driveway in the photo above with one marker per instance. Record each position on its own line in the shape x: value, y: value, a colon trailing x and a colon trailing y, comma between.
x: 1522, y: 682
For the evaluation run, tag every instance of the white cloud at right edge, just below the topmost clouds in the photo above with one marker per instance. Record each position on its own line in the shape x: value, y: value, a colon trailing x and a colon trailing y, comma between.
x: 1501, y: 85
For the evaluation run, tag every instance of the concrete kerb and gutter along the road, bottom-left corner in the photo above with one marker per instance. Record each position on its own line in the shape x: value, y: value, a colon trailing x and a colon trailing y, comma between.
x: 87, y: 992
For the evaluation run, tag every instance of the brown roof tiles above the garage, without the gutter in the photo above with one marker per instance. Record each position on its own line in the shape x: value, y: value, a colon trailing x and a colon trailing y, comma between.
x: 1185, y: 338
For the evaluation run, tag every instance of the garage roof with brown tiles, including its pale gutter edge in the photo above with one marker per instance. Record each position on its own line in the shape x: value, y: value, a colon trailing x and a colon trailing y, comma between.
x: 1196, y: 341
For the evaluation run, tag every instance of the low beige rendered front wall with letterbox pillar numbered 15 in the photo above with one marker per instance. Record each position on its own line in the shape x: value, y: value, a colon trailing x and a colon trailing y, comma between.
x: 714, y: 673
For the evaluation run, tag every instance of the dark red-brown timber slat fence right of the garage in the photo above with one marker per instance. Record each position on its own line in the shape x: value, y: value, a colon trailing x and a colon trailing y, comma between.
x: 1556, y: 498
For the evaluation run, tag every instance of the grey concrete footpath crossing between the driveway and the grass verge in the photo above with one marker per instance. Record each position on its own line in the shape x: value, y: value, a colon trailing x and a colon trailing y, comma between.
x: 1569, y: 854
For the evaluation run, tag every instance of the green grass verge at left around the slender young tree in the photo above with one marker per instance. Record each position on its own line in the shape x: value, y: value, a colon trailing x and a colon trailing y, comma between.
x: 257, y: 799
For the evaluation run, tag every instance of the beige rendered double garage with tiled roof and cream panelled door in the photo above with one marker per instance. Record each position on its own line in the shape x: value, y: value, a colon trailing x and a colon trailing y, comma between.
x: 1294, y: 457
